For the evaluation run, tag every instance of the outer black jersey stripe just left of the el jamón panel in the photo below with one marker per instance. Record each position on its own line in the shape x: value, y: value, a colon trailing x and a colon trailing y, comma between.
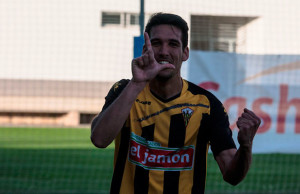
x: 121, y: 161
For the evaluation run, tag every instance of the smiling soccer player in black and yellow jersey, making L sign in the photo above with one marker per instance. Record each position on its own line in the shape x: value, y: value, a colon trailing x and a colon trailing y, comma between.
x: 163, y: 125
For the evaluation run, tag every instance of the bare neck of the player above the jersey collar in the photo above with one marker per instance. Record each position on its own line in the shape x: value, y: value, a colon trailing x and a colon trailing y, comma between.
x: 166, y: 88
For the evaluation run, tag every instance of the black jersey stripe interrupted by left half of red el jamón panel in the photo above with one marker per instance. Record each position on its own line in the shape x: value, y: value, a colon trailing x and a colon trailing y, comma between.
x: 141, y: 177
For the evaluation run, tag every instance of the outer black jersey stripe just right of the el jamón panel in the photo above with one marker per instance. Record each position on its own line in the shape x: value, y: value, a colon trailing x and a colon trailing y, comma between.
x: 200, y: 158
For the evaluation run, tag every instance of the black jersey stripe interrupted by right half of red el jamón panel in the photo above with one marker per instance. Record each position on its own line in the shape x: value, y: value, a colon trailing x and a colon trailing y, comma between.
x: 176, y: 140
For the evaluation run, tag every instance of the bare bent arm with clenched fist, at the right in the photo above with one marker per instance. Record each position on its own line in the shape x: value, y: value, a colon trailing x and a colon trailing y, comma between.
x: 234, y: 164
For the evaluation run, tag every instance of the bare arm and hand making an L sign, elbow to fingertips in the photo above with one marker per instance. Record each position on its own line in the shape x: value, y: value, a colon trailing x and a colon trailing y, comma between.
x: 108, y: 124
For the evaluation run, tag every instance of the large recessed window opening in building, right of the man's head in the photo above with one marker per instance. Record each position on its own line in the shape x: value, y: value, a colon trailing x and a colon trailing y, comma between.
x: 216, y: 33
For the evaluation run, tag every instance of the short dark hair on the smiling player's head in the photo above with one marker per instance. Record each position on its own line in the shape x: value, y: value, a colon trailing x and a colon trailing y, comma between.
x: 171, y: 19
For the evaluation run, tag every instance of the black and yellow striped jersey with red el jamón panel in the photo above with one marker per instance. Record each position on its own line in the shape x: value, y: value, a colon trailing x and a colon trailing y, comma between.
x: 162, y: 147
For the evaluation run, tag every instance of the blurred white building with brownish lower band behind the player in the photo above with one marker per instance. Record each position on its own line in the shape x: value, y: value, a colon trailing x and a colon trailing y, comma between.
x: 60, y: 57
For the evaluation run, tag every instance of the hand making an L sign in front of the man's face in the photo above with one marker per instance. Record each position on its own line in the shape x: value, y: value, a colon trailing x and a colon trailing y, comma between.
x: 145, y: 67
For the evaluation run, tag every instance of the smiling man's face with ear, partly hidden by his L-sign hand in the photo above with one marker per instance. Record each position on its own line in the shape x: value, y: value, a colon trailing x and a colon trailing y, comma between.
x: 167, y: 47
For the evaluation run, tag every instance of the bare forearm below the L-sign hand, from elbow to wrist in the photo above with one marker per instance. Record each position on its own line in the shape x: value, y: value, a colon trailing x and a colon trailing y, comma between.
x: 108, y: 124
